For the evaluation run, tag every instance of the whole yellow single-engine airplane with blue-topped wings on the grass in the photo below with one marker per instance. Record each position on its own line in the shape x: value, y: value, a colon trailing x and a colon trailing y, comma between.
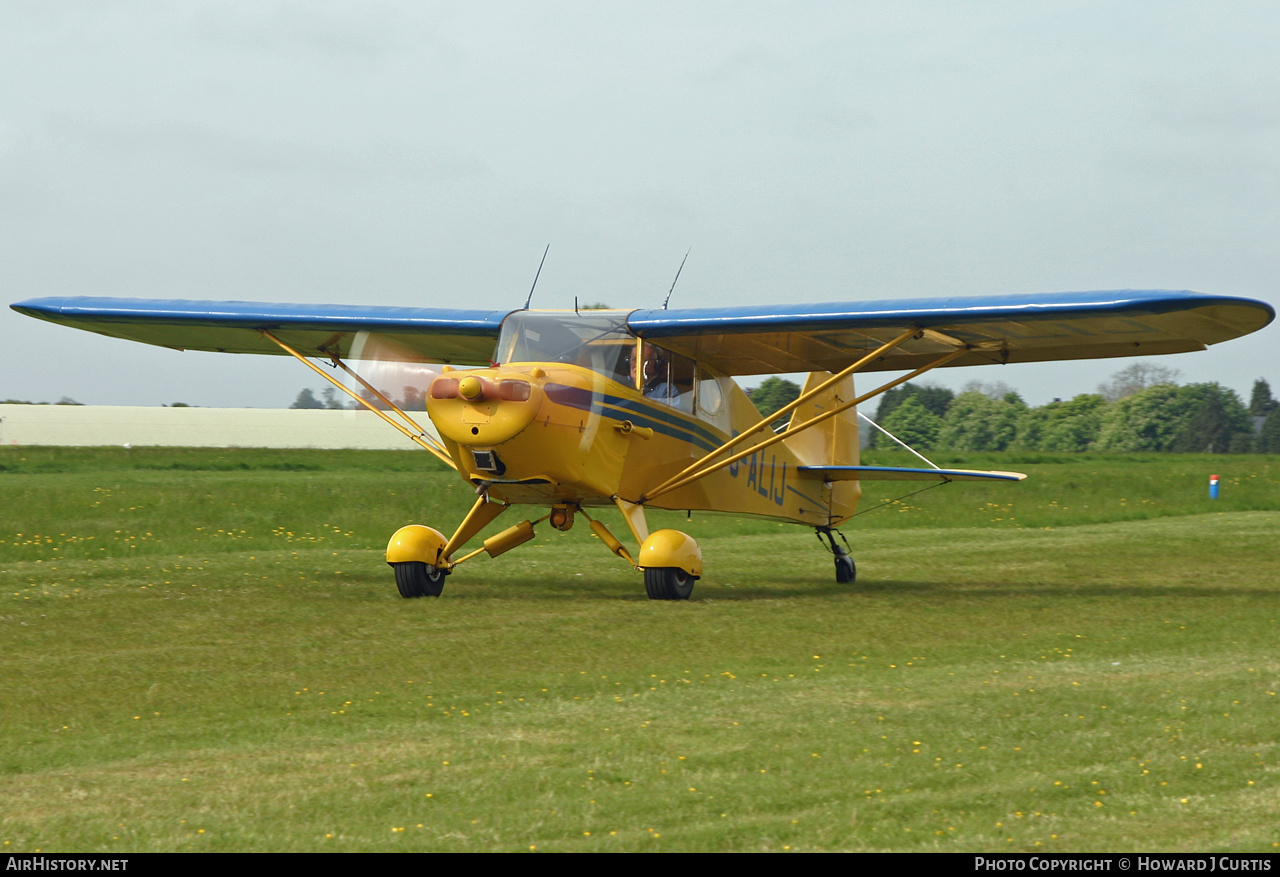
x: 578, y: 410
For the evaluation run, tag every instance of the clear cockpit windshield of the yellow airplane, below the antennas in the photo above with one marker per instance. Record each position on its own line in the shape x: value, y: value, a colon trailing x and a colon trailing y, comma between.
x: 595, y: 340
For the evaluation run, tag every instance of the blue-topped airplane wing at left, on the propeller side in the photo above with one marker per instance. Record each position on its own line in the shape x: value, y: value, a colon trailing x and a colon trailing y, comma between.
x: 234, y: 327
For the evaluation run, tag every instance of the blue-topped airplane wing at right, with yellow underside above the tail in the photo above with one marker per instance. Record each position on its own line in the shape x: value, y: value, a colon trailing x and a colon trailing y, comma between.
x: 1028, y: 328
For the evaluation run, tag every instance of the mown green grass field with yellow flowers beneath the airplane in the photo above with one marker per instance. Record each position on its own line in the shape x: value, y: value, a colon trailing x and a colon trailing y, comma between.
x: 204, y: 651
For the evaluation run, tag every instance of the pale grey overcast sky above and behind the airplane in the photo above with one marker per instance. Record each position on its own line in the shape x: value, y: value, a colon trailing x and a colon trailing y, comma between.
x: 424, y: 154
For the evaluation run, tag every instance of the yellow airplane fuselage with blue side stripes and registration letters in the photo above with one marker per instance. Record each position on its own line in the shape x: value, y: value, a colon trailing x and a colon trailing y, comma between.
x: 547, y: 433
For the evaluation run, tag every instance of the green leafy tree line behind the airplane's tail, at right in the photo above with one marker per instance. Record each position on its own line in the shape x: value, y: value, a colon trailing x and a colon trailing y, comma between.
x: 1141, y: 408
